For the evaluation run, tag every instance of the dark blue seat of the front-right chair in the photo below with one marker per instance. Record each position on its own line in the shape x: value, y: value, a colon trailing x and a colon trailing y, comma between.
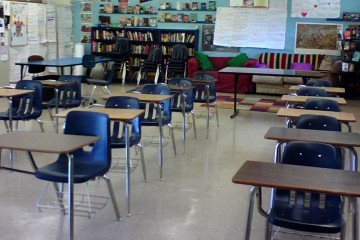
x: 312, y: 219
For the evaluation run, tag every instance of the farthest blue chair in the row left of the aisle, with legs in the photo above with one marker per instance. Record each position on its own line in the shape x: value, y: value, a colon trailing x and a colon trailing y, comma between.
x: 200, y: 95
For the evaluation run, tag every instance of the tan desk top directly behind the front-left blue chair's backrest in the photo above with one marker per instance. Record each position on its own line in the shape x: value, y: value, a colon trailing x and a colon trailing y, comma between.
x: 114, y: 113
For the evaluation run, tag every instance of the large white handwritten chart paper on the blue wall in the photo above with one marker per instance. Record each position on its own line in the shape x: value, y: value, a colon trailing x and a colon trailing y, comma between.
x: 252, y: 27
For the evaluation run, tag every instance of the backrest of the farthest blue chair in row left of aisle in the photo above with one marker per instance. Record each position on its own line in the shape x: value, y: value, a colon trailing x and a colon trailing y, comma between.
x: 199, y: 91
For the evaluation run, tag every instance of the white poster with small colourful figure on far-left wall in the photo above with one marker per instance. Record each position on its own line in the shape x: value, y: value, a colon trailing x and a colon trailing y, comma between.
x: 18, y: 24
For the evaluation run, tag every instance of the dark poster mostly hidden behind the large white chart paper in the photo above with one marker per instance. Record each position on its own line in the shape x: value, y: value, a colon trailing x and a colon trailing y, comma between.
x: 208, y: 38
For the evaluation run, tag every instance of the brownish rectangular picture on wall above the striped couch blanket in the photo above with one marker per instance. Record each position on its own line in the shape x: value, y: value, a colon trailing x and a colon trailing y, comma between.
x: 317, y: 38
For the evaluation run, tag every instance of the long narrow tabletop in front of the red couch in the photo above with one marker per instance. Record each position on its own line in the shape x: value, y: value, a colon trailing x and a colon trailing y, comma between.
x: 272, y: 72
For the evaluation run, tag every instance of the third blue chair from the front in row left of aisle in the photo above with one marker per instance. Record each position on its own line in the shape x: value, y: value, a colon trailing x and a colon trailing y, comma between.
x: 151, y: 117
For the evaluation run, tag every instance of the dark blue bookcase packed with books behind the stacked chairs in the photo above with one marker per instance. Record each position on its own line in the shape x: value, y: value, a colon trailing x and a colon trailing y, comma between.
x: 141, y: 40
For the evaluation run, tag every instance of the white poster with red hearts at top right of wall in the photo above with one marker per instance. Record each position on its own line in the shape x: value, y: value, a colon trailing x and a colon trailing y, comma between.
x: 315, y: 8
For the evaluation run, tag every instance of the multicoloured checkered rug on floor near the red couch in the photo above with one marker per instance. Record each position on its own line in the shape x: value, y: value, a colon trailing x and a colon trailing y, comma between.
x: 249, y: 103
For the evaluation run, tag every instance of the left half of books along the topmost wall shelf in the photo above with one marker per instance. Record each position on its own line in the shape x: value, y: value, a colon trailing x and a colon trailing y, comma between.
x: 110, y: 8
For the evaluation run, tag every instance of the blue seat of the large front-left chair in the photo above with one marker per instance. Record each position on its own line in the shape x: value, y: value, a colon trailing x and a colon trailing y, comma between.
x: 83, y: 170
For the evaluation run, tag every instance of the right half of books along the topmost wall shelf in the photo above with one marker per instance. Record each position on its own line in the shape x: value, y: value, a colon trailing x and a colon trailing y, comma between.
x: 189, y: 6
